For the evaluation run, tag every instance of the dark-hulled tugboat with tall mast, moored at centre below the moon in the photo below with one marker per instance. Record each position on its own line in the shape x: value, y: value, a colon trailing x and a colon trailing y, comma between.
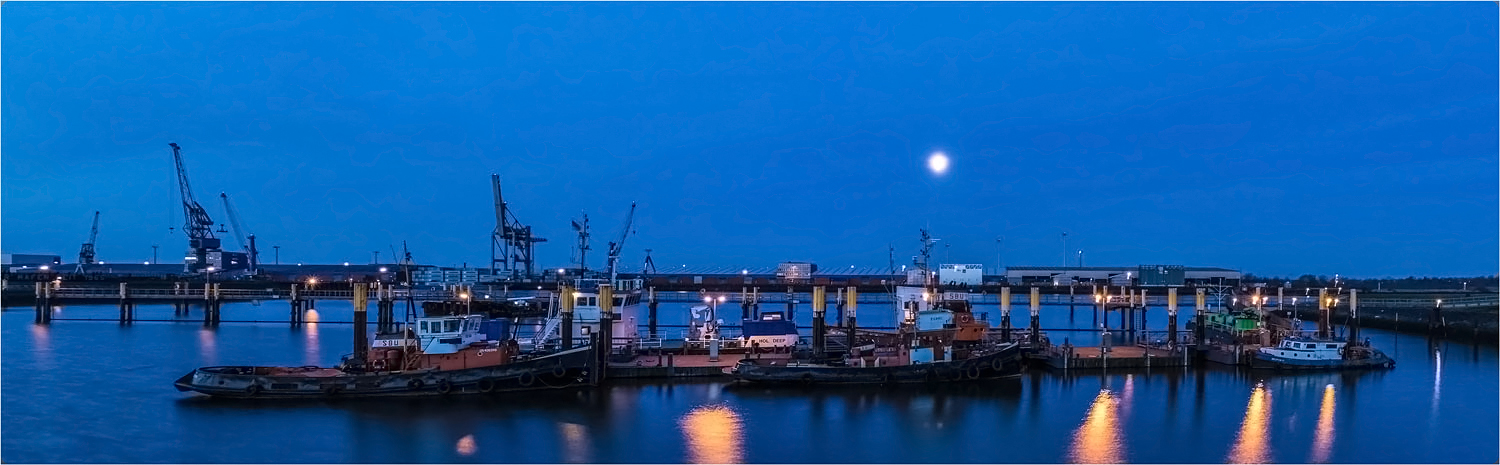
x: 940, y: 343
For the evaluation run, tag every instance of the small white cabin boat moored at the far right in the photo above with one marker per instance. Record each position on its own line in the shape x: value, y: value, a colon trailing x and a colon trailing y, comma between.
x: 1321, y: 353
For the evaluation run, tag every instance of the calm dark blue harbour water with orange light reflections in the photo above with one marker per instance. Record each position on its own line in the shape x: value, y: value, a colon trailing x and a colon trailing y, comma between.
x: 101, y: 392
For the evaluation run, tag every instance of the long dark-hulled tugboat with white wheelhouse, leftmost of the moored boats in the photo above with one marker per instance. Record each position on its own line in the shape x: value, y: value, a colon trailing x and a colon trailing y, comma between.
x: 449, y: 355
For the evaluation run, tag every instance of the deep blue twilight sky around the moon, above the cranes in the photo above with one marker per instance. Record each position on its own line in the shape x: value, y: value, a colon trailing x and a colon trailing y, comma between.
x: 1279, y: 139
